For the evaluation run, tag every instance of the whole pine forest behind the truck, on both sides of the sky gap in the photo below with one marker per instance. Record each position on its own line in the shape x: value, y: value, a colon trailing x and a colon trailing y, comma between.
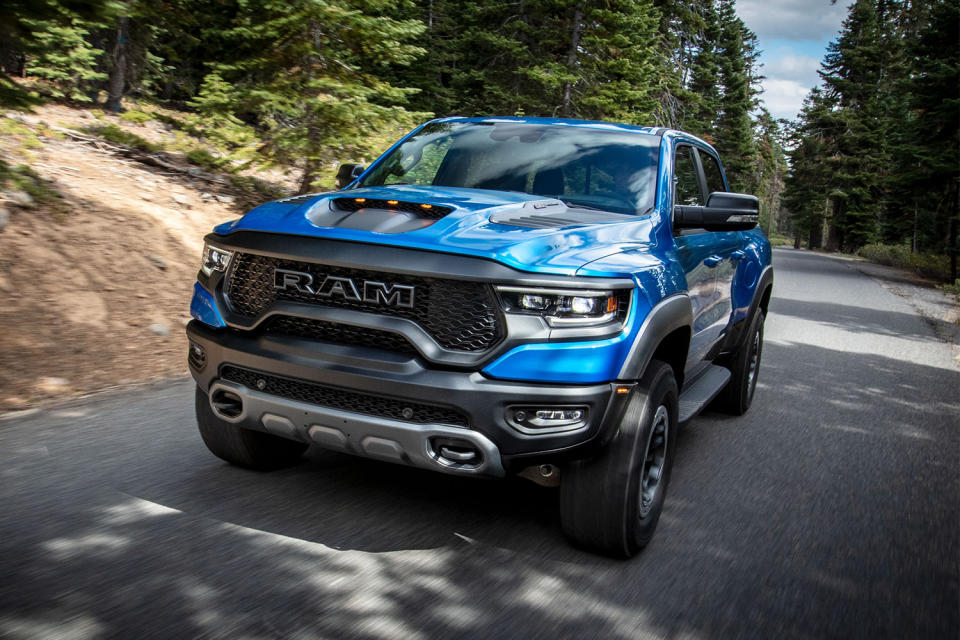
x: 871, y: 164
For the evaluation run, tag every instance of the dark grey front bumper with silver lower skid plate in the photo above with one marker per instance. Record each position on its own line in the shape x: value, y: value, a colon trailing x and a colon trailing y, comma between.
x: 502, y: 447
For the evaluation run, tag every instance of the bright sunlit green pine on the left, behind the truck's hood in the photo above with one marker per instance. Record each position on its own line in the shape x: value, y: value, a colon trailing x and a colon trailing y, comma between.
x: 306, y: 72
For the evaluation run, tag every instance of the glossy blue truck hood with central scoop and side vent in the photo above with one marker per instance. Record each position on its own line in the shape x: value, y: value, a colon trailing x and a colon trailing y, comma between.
x: 524, y: 231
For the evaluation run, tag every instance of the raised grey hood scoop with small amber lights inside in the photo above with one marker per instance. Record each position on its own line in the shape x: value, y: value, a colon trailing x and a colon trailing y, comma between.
x: 376, y: 214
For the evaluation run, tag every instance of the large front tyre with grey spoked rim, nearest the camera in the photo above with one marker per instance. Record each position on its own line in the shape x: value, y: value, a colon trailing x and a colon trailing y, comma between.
x: 612, y: 503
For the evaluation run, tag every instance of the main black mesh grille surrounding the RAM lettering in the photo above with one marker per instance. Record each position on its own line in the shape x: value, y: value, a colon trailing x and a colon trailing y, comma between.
x: 462, y: 316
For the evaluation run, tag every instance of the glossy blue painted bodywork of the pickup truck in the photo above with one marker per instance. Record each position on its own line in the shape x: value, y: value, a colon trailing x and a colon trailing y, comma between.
x: 643, y: 248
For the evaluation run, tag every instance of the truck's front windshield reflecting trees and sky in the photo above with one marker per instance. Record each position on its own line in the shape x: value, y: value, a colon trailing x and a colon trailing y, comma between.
x: 609, y: 170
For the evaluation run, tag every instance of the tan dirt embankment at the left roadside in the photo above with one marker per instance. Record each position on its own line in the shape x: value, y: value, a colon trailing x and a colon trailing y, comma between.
x: 96, y: 288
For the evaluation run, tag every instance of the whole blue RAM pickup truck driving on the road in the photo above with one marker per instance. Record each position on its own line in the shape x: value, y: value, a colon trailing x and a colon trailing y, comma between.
x: 492, y: 296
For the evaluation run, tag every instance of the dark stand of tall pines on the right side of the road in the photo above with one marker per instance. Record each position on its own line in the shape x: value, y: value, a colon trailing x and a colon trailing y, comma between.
x: 877, y: 150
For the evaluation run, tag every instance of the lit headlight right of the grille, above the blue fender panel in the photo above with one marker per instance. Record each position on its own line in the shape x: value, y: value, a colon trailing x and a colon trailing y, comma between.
x: 562, y: 307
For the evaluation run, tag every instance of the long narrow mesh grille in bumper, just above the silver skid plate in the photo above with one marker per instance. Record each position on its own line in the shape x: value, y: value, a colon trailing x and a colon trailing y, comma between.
x: 336, y: 398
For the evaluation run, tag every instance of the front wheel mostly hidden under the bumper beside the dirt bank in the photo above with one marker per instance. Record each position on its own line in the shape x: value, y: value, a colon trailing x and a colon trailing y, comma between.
x: 243, y: 447
